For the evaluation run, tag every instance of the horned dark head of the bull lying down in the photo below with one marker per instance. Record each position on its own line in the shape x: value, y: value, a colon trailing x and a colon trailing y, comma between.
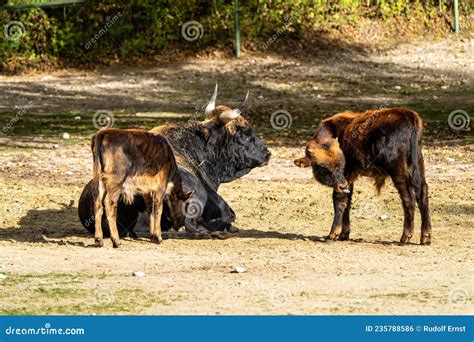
x: 236, y: 146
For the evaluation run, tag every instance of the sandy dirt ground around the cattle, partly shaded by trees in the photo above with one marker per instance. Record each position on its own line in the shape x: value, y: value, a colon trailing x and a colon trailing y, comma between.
x: 48, y: 264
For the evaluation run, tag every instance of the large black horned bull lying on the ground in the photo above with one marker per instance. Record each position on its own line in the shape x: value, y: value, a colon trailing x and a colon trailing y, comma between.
x: 219, y: 149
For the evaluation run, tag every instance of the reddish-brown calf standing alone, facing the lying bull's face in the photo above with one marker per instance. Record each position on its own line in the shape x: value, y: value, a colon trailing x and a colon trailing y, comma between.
x: 378, y: 144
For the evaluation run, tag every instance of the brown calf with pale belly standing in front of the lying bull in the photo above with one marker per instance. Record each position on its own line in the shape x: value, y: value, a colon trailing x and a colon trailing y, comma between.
x: 129, y: 163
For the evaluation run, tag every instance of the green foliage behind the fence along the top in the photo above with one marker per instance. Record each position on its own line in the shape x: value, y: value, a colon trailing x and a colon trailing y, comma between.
x: 119, y: 30
